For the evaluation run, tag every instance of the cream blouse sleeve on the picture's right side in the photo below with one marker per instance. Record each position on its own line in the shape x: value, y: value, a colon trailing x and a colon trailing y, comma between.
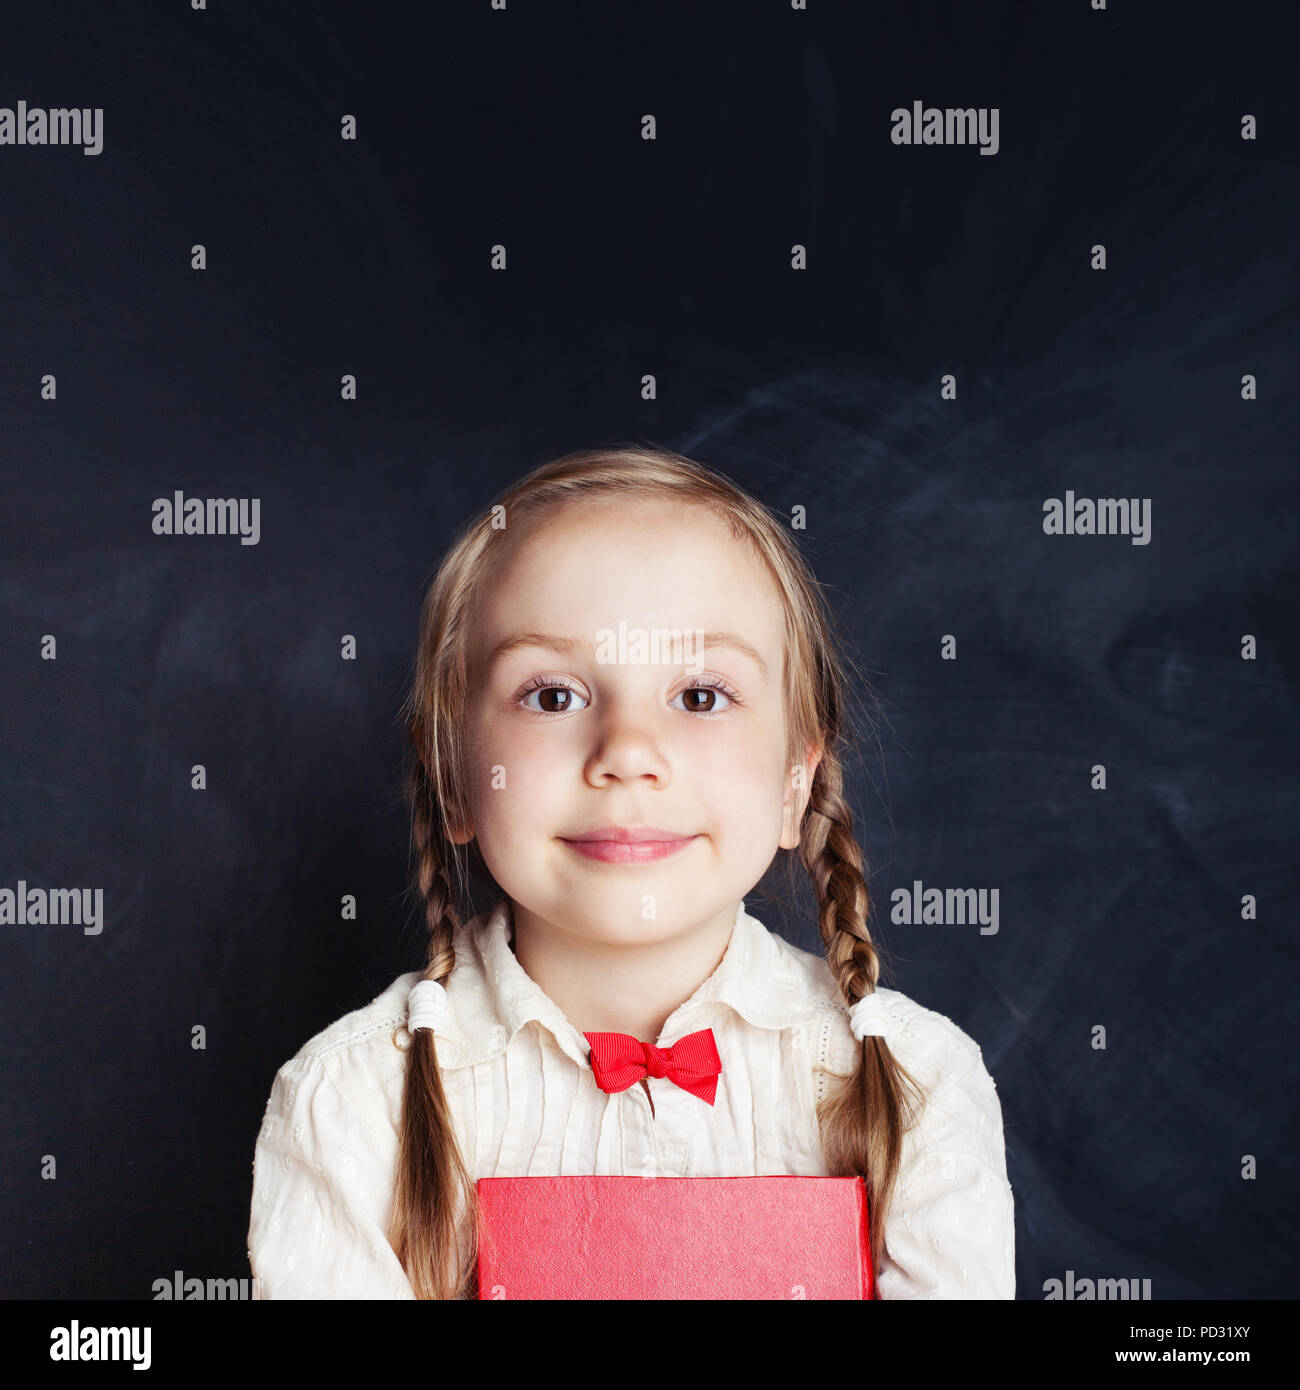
x: 952, y: 1227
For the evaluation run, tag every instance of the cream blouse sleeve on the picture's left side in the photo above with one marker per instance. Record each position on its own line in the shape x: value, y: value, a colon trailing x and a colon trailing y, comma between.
x: 323, y: 1172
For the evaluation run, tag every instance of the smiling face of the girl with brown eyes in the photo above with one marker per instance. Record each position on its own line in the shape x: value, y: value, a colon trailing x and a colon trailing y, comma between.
x: 572, y: 732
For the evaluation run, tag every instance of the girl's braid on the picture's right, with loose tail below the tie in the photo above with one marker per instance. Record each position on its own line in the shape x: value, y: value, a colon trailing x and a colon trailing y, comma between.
x: 866, y: 1121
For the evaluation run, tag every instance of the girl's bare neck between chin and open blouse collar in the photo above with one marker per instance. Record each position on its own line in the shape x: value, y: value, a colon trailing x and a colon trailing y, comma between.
x: 618, y: 986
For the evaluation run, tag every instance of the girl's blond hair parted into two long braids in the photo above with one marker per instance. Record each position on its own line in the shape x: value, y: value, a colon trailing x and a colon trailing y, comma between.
x: 863, y: 1124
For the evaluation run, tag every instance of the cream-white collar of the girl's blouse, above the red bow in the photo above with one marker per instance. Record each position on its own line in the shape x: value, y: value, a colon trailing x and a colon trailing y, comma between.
x: 758, y: 978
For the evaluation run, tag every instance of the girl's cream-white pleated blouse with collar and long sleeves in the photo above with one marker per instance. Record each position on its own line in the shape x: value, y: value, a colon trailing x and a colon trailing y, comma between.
x: 526, y: 1104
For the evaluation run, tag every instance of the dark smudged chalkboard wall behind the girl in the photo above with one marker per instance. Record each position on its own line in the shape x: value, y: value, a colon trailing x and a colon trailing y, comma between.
x: 1119, y: 908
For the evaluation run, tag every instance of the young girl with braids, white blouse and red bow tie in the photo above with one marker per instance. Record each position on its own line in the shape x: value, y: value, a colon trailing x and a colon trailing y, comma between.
x: 626, y: 701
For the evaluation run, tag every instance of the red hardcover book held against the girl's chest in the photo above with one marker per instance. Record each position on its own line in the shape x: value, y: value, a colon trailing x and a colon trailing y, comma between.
x: 674, y: 1238
